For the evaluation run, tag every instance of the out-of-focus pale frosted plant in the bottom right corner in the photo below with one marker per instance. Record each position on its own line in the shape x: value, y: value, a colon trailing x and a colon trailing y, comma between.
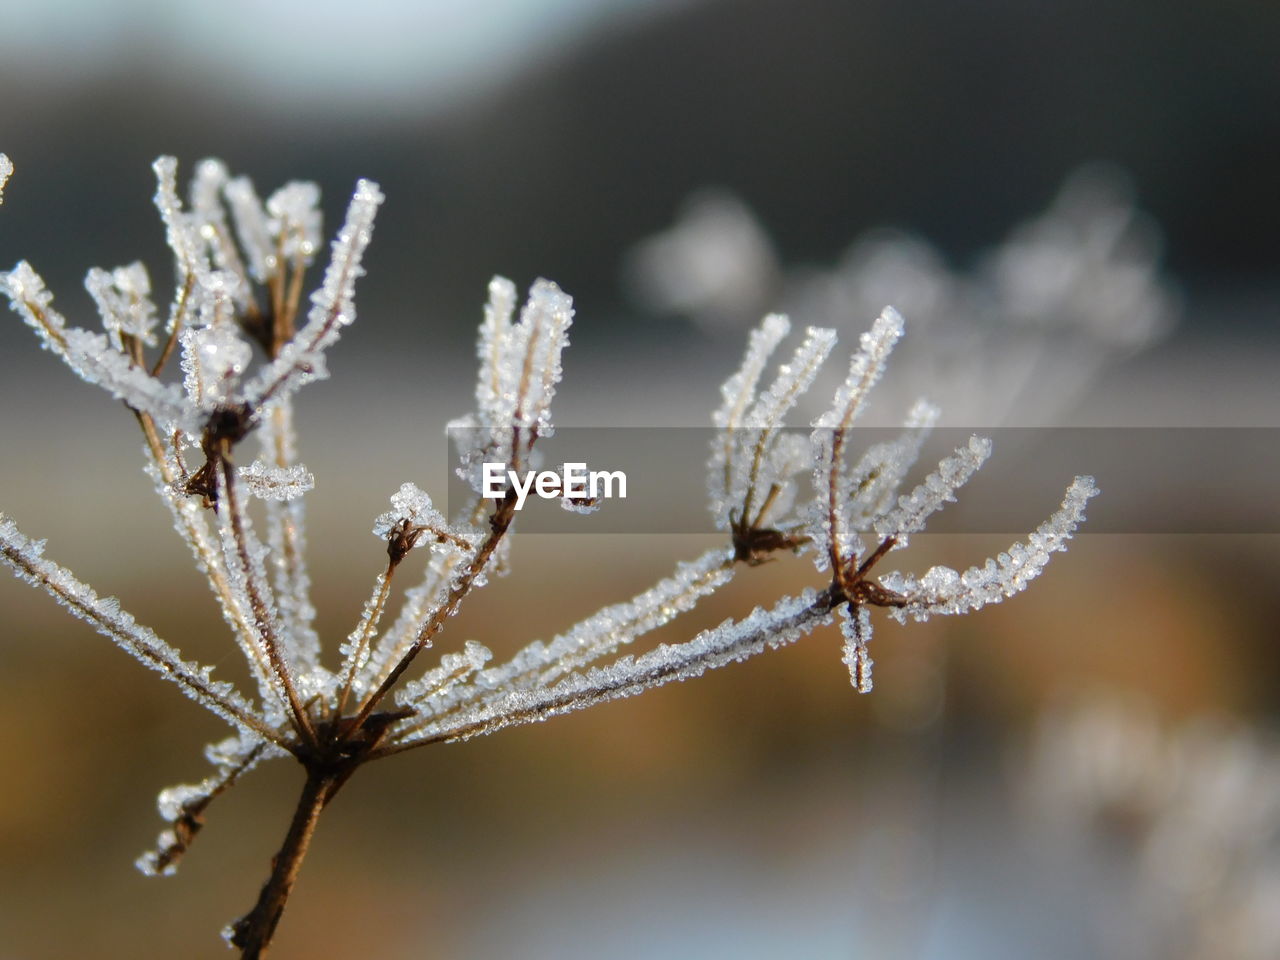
x: 1197, y: 807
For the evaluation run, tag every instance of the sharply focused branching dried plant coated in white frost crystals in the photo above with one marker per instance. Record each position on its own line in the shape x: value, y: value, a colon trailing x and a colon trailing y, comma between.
x: 240, y: 267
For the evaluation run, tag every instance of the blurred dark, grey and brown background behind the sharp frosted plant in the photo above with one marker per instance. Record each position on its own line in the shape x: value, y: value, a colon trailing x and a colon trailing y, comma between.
x: 1089, y: 770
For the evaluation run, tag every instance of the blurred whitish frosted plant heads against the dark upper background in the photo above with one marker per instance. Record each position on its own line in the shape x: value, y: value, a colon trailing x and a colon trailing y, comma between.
x: 1035, y: 319
